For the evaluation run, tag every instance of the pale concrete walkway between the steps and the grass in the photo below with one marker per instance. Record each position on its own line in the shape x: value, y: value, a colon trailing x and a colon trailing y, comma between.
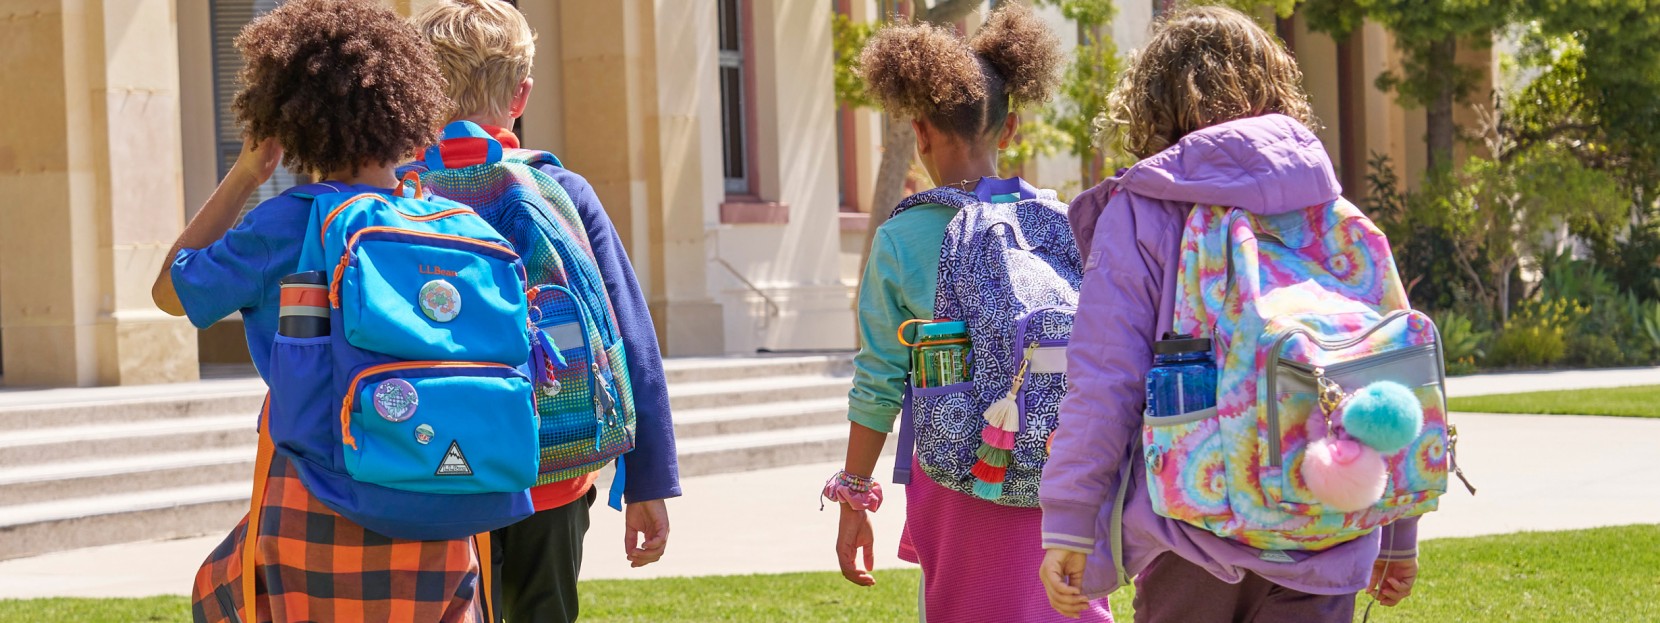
x: 1536, y: 473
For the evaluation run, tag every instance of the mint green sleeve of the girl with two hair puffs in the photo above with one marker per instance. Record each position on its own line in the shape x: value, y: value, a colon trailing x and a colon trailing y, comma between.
x: 899, y: 287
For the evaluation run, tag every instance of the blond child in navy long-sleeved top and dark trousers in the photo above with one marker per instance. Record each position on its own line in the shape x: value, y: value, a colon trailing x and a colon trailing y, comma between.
x: 486, y: 52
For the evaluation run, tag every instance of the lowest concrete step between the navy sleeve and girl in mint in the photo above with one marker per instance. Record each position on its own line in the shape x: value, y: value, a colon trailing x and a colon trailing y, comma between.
x: 754, y: 451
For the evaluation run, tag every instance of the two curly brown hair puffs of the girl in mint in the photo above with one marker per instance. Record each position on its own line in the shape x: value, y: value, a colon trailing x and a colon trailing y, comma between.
x: 960, y: 87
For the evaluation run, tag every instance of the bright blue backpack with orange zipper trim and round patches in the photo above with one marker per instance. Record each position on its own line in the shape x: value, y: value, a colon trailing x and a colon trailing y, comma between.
x: 414, y: 416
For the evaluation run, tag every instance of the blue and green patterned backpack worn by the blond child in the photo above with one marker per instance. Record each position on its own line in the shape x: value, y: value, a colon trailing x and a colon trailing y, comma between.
x: 587, y: 403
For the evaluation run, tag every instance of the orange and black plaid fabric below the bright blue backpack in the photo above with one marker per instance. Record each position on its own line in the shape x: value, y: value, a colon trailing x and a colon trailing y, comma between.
x: 316, y: 566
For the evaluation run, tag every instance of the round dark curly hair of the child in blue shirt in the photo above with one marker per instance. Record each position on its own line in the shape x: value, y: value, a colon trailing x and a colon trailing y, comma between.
x: 339, y: 84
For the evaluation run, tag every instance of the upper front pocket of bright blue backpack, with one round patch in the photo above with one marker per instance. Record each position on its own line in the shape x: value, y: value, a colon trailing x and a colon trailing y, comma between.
x: 424, y: 297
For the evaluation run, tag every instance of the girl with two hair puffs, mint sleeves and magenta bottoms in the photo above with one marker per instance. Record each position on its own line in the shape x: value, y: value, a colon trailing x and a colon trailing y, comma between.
x: 979, y: 557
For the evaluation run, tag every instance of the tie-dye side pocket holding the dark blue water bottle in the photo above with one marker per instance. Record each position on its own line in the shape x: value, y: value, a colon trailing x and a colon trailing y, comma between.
x: 1186, y: 466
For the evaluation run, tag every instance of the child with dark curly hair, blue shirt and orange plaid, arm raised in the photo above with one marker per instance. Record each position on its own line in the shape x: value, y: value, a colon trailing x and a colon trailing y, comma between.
x: 343, y: 91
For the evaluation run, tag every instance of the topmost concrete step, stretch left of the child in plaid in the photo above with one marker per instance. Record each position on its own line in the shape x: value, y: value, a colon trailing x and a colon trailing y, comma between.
x: 89, y: 406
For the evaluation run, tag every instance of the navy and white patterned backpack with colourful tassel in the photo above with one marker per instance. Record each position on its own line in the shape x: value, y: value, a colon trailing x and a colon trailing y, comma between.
x: 1010, y: 270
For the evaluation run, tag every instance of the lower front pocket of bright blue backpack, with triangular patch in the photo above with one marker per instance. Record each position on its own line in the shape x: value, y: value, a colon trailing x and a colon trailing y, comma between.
x: 441, y: 428
